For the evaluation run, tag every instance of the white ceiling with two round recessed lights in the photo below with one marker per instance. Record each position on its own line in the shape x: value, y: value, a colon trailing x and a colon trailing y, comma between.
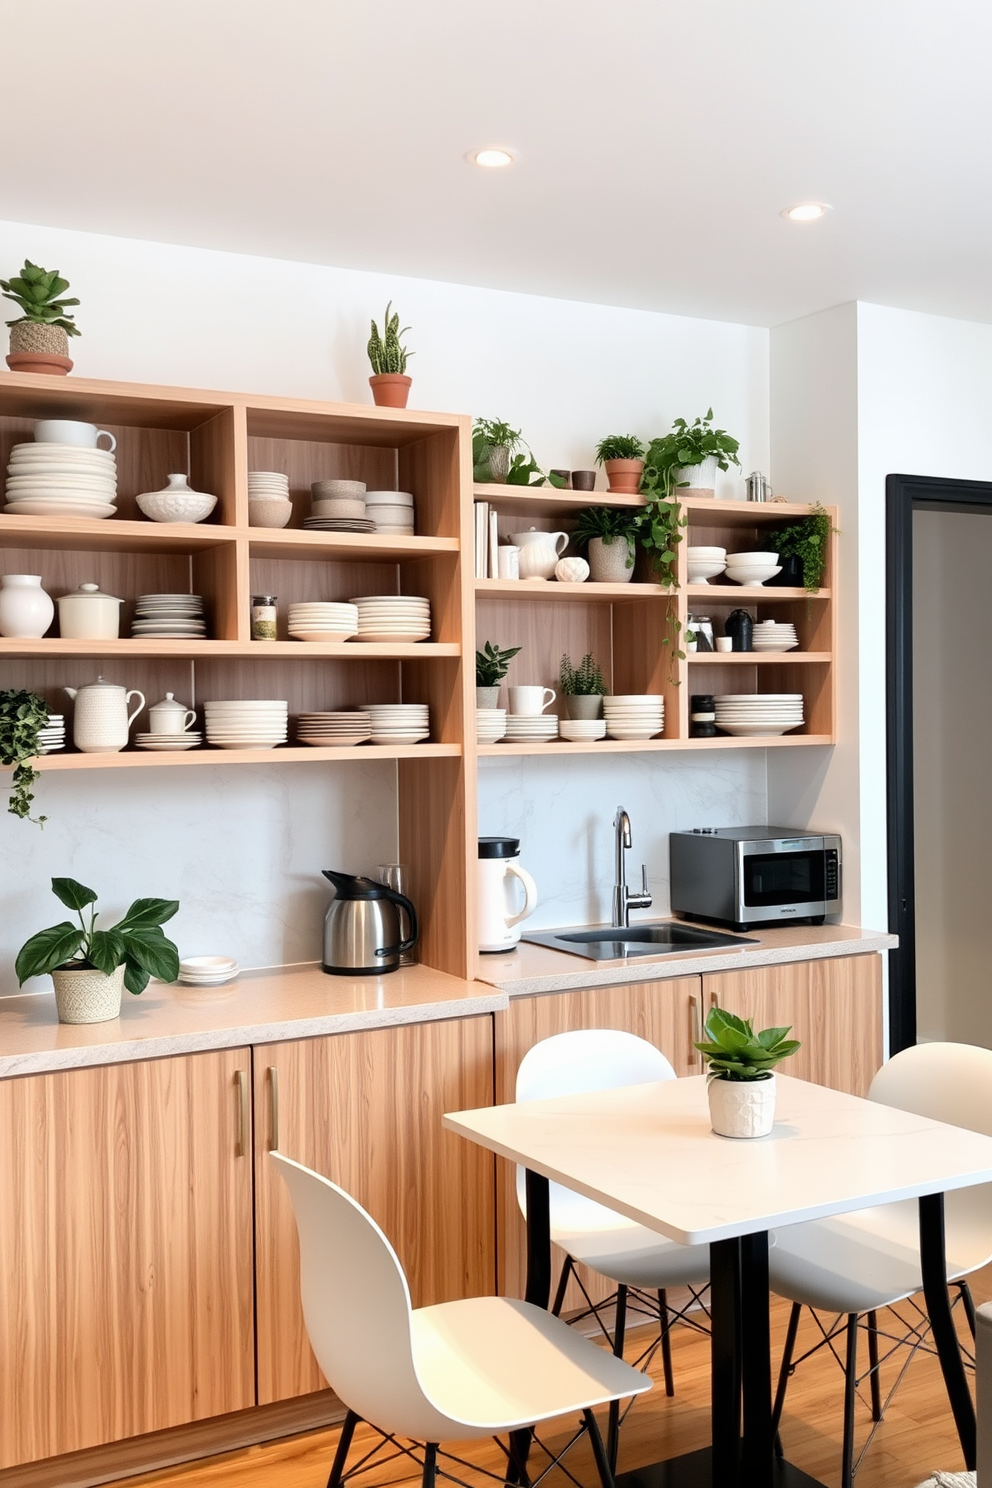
x: 658, y: 142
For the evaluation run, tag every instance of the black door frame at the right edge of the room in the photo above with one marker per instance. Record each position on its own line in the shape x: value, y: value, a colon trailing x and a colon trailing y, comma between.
x: 904, y: 495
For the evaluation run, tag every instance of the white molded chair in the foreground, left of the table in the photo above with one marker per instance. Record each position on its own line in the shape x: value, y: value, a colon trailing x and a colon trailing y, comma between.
x: 445, y: 1373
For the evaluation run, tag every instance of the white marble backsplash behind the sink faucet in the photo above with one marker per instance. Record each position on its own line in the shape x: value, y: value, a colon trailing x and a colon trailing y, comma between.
x: 563, y: 810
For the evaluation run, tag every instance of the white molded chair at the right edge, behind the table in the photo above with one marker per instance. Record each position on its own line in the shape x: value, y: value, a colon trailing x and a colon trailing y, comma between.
x: 857, y: 1264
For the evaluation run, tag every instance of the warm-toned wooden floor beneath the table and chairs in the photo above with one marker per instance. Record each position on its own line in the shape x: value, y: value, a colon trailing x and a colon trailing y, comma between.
x: 915, y: 1438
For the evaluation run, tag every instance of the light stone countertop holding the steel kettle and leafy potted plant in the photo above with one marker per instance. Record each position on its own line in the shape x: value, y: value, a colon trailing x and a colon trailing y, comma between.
x: 297, y: 1002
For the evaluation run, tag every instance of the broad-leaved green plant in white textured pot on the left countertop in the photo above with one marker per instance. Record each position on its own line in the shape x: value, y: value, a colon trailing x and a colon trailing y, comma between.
x: 91, y: 966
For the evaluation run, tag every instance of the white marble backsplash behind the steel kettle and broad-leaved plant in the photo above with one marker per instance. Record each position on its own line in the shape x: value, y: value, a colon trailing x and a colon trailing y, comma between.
x: 240, y: 849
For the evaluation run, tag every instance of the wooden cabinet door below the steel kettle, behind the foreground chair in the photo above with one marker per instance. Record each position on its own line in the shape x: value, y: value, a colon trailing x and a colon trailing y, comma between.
x: 365, y: 1111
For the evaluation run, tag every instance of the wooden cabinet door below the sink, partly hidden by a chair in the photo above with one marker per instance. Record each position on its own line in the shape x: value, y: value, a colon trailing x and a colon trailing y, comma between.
x: 667, y: 1014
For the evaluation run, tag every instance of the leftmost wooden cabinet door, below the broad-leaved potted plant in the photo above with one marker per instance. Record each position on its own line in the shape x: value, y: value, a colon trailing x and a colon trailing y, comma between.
x: 126, y: 1252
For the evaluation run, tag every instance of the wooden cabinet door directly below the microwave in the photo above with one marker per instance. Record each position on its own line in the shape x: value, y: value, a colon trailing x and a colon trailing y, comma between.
x: 834, y: 1007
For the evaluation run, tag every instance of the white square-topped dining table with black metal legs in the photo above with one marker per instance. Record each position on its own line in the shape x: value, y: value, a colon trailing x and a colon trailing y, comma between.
x: 649, y: 1152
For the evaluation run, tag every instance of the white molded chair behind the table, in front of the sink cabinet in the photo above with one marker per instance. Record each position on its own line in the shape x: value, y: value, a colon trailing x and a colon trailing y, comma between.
x: 619, y: 1249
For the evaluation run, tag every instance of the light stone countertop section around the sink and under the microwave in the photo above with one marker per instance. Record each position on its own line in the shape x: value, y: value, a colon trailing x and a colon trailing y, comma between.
x: 541, y: 969
